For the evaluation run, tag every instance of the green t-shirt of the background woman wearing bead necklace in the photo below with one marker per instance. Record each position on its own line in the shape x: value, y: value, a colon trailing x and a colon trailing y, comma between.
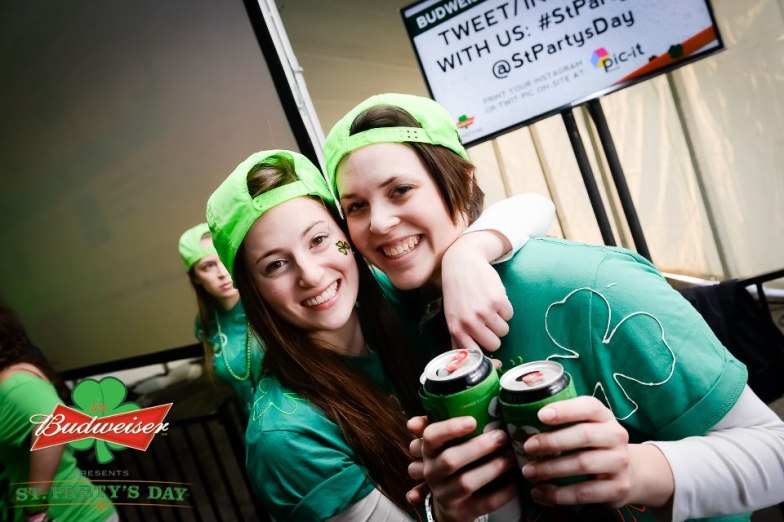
x: 235, y: 352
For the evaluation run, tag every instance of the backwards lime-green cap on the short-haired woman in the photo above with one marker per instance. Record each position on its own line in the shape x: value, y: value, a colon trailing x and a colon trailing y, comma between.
x: 438, y: 128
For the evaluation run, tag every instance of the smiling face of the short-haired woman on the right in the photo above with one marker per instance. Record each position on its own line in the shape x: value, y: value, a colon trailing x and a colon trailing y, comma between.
x: 409, y: 224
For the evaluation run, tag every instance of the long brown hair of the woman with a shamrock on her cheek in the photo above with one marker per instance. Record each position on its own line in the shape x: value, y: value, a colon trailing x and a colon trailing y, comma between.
x: 372, y: 425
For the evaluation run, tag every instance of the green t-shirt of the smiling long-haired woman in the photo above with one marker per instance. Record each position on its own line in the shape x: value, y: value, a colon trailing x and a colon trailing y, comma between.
x: 299, y: 464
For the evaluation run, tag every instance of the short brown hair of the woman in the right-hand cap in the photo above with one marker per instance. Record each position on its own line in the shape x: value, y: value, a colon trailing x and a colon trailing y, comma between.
x: 452, y: 174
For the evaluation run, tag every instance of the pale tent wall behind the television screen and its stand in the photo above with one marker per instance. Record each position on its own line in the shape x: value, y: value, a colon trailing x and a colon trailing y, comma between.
x: 701, y: 148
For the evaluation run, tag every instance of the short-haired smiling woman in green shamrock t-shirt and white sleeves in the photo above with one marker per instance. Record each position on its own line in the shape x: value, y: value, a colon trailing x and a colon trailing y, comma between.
x: 665, y: 423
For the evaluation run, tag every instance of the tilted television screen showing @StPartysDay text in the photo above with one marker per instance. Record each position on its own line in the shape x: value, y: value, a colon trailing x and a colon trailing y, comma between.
x: 500, y: 64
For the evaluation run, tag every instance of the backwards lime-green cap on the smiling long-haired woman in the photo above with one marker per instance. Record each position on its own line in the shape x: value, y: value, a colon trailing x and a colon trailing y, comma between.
x: 231, y: 210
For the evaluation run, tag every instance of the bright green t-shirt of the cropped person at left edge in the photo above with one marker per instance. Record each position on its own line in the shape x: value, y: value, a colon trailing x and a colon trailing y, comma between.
x: 23, y: 395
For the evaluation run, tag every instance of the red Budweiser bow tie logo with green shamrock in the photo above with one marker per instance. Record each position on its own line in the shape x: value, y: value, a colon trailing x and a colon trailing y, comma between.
x: 102, y: 419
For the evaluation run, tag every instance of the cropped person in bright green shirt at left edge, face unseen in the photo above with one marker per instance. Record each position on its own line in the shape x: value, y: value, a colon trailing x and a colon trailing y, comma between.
x: 30, y: 480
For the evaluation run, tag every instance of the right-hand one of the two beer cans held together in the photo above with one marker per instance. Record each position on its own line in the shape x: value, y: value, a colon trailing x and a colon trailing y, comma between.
x: 525, y: 389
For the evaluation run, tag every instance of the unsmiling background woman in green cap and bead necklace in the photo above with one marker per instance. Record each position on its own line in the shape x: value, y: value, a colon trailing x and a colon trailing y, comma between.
x: 232, y: 353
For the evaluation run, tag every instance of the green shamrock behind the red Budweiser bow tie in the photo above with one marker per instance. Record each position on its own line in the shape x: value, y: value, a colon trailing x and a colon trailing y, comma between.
x: 101, y: 399
